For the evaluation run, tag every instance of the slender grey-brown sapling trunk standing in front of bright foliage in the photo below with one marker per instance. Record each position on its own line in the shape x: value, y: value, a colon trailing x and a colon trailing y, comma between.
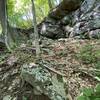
x: 35, y: 31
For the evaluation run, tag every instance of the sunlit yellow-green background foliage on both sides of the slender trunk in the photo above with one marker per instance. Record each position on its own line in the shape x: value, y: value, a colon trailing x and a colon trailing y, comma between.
x: 20, y: 12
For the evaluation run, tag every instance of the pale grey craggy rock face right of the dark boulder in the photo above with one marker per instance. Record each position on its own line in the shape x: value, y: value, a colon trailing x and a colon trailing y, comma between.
x: 86, y: 20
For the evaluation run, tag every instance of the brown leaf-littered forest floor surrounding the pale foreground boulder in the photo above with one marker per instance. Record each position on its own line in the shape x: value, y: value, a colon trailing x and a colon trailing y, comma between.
x: 75, y: 58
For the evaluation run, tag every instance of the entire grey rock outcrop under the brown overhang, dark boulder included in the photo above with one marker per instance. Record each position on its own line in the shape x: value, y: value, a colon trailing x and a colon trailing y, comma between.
x: 84, y: 23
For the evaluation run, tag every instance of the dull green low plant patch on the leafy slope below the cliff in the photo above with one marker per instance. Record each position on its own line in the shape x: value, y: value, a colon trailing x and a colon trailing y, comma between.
x: 89, y: 55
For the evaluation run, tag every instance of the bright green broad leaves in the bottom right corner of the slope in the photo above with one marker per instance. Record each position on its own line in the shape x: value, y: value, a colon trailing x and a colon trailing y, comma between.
x: 90, y: 93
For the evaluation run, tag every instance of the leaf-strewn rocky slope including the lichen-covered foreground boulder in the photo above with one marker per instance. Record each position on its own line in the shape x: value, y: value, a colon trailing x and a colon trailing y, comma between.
x: 72, y: 60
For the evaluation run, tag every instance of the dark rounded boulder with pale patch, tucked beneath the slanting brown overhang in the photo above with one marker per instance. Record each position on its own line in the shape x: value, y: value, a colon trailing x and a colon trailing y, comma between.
x: 51, y: 28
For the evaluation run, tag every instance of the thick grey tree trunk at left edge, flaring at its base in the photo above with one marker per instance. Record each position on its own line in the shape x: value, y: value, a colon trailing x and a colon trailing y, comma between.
x: 8, y: 33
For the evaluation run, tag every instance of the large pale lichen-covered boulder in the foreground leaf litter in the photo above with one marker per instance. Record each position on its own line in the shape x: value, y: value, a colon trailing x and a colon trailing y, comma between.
x: 44, y: 81
